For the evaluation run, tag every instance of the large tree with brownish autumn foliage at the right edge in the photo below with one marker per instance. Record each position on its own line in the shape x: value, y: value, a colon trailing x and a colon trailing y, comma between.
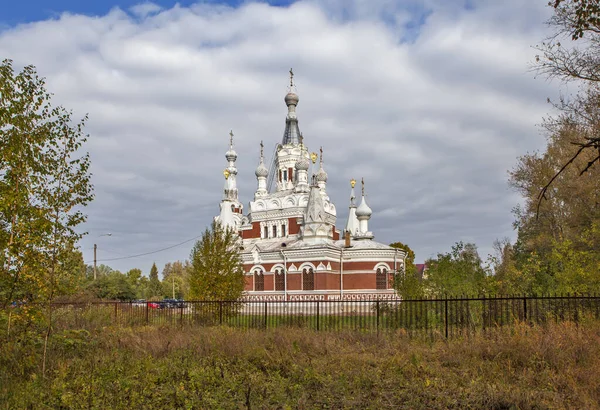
x: 571, y: 206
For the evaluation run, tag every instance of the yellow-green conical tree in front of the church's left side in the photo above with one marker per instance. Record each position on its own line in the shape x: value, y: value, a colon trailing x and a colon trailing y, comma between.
x: 216, y: 268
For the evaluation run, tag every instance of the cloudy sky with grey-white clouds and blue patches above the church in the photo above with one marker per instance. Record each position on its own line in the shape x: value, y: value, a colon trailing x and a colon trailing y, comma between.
x: 430, y: 101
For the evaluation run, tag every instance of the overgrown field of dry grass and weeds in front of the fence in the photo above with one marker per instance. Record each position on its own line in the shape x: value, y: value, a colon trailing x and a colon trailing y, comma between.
x: 223, y: 368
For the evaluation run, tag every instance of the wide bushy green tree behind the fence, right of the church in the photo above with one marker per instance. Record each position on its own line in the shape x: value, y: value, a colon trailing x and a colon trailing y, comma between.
x: 459, y: 272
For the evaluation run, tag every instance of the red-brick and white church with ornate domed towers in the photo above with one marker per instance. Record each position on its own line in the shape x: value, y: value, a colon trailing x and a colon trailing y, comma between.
x: 290, y: 246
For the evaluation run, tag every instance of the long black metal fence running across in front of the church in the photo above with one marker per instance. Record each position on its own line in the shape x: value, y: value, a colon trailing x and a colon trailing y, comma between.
x: 446, y: 317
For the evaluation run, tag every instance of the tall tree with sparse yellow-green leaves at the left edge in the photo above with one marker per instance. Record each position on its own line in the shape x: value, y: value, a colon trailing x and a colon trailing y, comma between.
x: 44, y: 182
